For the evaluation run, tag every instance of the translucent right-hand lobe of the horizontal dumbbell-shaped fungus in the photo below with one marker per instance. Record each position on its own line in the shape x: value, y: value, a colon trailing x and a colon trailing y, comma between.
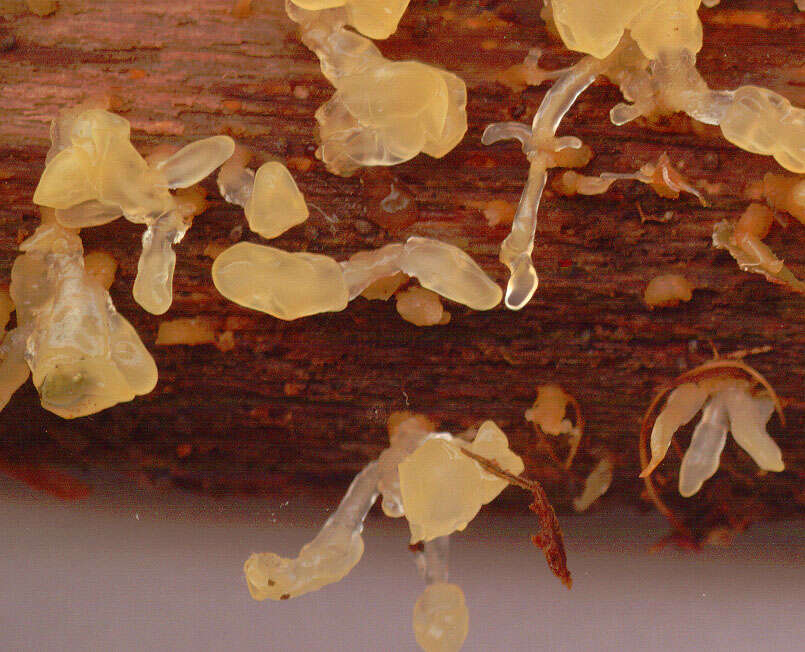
x: 450, y: 272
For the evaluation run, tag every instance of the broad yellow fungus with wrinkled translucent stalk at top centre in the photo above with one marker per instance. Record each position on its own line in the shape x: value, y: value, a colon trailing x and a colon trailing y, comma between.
x: 383, y: 112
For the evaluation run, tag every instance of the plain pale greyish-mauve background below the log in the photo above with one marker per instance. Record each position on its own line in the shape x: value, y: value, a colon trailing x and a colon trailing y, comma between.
x: 145, y: 572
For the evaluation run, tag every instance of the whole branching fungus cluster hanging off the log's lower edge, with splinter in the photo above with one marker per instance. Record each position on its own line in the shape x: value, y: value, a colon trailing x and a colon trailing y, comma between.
x: 439, y: 483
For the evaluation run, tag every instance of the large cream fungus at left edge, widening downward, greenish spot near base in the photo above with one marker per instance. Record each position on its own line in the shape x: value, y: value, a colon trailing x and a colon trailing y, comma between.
x: 83, y: 356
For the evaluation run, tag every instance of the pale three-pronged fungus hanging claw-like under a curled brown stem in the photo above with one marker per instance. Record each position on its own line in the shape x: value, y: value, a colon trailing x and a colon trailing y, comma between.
x: 727, y: 404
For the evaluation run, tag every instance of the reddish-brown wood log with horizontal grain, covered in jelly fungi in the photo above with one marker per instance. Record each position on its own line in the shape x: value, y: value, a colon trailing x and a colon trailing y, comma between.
x: 302, y: 402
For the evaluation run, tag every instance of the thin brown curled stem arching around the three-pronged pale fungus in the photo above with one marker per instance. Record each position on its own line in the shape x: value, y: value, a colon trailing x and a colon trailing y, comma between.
x: 719, y: 366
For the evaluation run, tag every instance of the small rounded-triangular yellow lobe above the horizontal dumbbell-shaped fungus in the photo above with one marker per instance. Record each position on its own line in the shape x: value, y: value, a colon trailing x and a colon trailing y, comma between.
x: 275, y: 204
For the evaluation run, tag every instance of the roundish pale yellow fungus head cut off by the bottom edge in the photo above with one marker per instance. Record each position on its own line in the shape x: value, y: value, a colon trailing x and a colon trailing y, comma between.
x: 441, y: 618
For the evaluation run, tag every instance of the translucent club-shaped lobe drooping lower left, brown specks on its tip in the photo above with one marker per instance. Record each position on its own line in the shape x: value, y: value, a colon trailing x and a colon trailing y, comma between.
x: 327, y: 558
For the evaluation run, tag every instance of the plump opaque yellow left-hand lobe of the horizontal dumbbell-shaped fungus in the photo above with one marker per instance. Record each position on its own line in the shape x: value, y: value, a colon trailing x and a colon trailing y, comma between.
x: 284, y: 285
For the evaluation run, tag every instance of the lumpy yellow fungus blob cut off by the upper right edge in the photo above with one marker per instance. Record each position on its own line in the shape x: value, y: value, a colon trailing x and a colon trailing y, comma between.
x: 761, y: 121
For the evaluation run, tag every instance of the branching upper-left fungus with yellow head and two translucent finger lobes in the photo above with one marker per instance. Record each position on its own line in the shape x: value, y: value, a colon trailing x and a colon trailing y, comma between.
x: 94, y: 175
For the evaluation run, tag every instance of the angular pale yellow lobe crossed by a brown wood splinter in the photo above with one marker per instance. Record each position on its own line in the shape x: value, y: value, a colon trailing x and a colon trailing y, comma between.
x: 442, y: 489
